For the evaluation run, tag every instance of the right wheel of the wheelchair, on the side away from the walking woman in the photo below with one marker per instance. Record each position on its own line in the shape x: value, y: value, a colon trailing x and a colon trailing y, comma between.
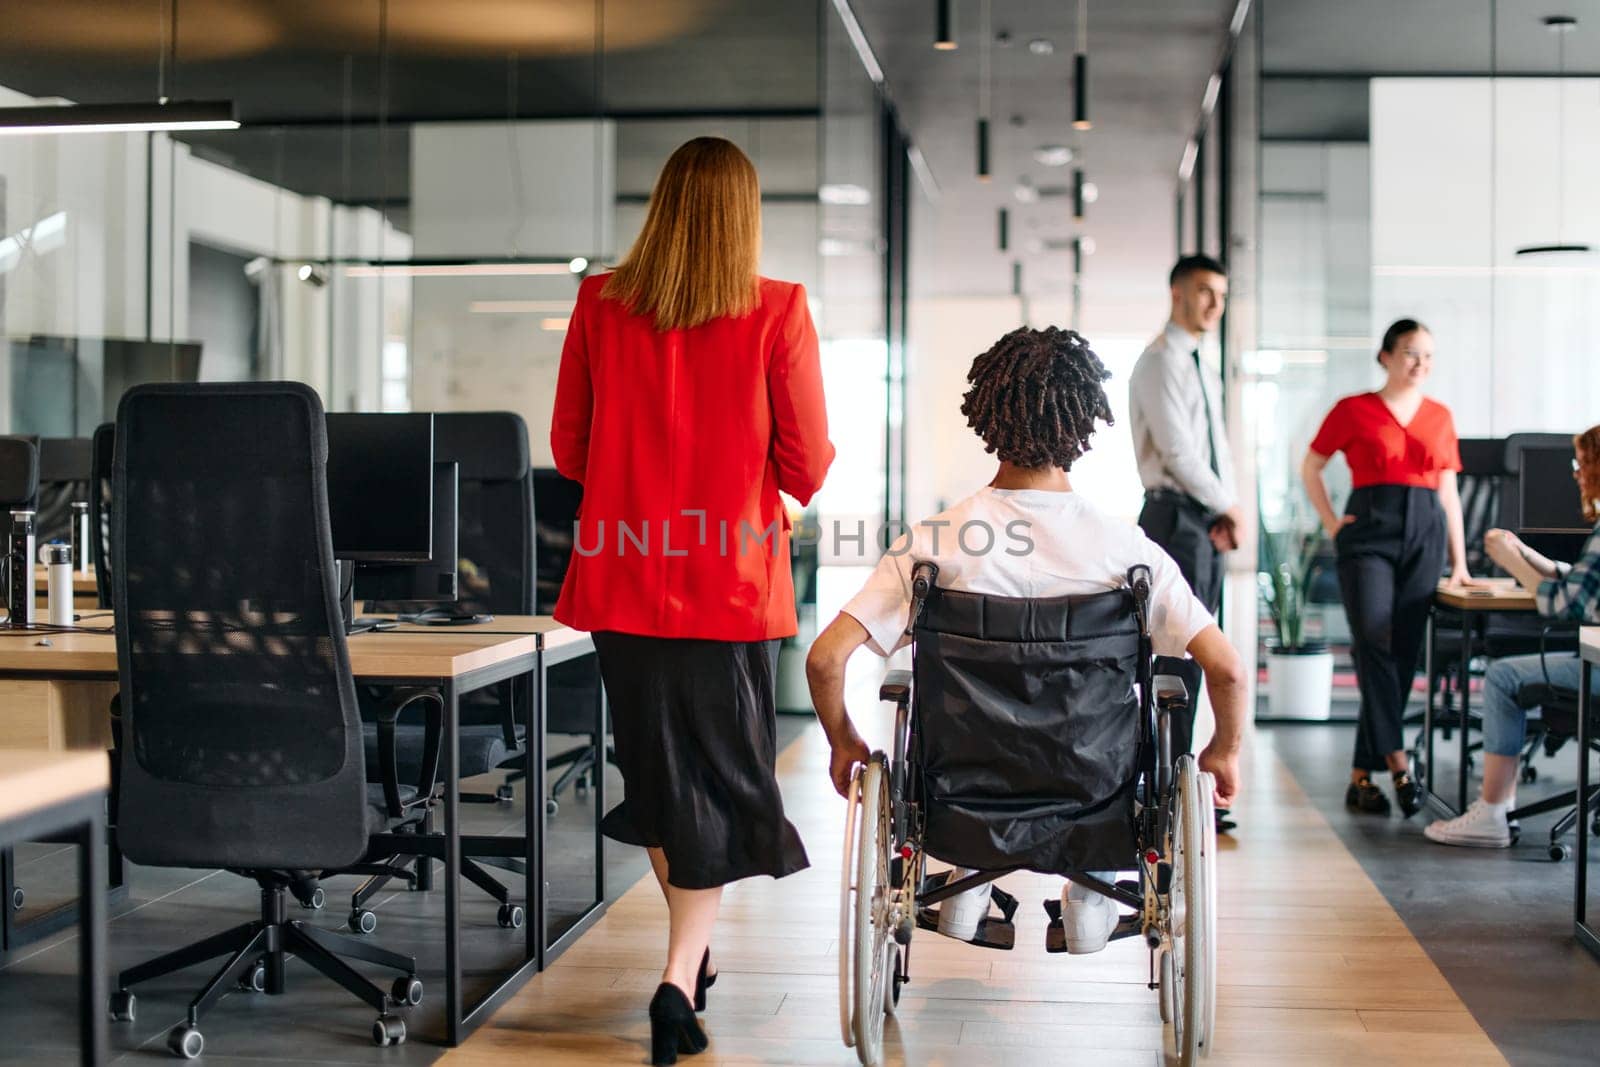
x: 1191, y: 921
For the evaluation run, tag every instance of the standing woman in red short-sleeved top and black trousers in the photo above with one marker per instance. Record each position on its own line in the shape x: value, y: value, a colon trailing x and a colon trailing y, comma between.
x: 1391, y: 543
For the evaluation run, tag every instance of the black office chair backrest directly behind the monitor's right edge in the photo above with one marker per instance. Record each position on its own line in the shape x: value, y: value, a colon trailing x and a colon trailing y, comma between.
x: 495, y: 522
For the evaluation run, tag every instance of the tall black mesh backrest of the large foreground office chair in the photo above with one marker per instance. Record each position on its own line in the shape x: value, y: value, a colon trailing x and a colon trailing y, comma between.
x: 242, y: 743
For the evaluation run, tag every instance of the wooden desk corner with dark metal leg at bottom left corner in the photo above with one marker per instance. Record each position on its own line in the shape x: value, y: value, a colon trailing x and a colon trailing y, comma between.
x: 65, y: 793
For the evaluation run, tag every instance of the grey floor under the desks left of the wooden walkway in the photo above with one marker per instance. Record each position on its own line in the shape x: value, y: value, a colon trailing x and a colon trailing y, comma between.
x: 316, y: 1021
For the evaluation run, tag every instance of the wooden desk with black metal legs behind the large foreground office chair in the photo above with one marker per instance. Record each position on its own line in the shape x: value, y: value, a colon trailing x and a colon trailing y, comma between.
x: 457, y: 660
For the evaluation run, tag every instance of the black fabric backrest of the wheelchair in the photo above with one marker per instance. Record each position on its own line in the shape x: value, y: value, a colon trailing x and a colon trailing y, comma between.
x: 1028, y: 729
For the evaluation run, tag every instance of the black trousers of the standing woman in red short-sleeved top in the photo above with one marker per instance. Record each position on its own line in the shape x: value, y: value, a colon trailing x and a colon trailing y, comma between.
x: 1391, y: 559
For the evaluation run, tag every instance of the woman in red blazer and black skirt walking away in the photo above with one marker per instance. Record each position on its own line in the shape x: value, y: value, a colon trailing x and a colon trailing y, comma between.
x: 690, y: 396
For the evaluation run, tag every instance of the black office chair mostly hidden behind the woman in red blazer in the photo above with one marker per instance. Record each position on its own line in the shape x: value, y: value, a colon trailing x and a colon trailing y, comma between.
x: 574, y: 690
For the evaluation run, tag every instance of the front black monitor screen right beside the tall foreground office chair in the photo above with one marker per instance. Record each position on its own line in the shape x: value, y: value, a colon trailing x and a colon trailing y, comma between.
x: 382, y: 487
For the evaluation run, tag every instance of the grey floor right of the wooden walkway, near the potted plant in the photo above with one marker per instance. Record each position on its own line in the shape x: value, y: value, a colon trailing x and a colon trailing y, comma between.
x: 1495, y: 922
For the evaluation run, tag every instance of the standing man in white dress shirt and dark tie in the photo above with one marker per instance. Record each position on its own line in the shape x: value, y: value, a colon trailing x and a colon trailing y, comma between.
x: 1180, y: 441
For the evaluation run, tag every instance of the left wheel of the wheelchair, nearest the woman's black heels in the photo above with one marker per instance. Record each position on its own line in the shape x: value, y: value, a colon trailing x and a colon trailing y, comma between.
x: 866, y: 932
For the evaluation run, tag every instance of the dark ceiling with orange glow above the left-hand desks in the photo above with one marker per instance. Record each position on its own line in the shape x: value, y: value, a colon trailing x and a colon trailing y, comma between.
x: 310, y: 86
